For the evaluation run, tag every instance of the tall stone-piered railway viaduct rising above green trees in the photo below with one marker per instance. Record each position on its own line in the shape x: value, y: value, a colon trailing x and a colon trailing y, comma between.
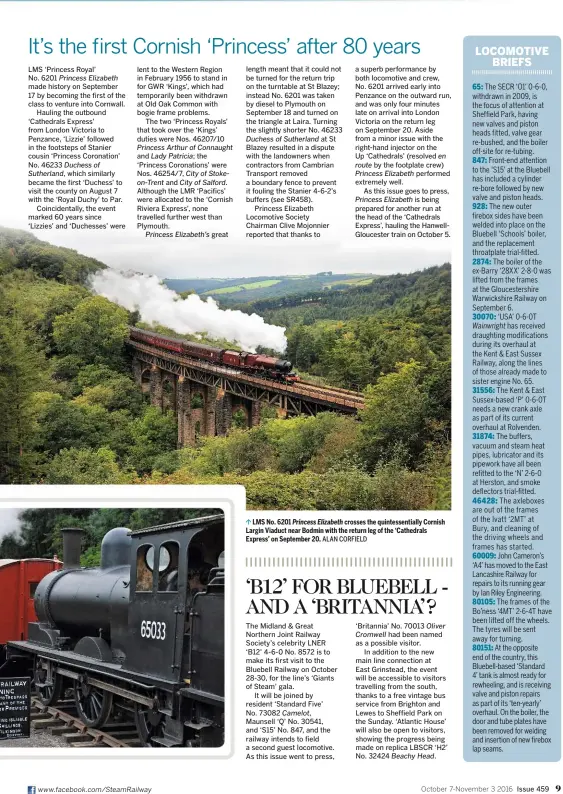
x: 206, y: 396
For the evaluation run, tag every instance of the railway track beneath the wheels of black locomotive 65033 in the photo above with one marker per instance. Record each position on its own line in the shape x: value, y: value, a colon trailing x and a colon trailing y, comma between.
x: 61, y: 720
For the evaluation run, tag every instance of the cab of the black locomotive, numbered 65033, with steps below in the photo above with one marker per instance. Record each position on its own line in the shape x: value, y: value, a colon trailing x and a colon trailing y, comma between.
x: 176, y: 628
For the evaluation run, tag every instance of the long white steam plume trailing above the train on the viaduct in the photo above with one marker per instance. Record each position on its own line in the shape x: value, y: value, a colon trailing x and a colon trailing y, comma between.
x: 158, y: 304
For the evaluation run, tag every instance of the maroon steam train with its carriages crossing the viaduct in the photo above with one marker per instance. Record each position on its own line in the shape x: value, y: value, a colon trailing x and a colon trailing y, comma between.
x: 253, y: 363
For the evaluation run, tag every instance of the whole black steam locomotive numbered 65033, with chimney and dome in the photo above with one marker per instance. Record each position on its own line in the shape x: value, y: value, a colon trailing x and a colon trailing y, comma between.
x: 143, y: 633
